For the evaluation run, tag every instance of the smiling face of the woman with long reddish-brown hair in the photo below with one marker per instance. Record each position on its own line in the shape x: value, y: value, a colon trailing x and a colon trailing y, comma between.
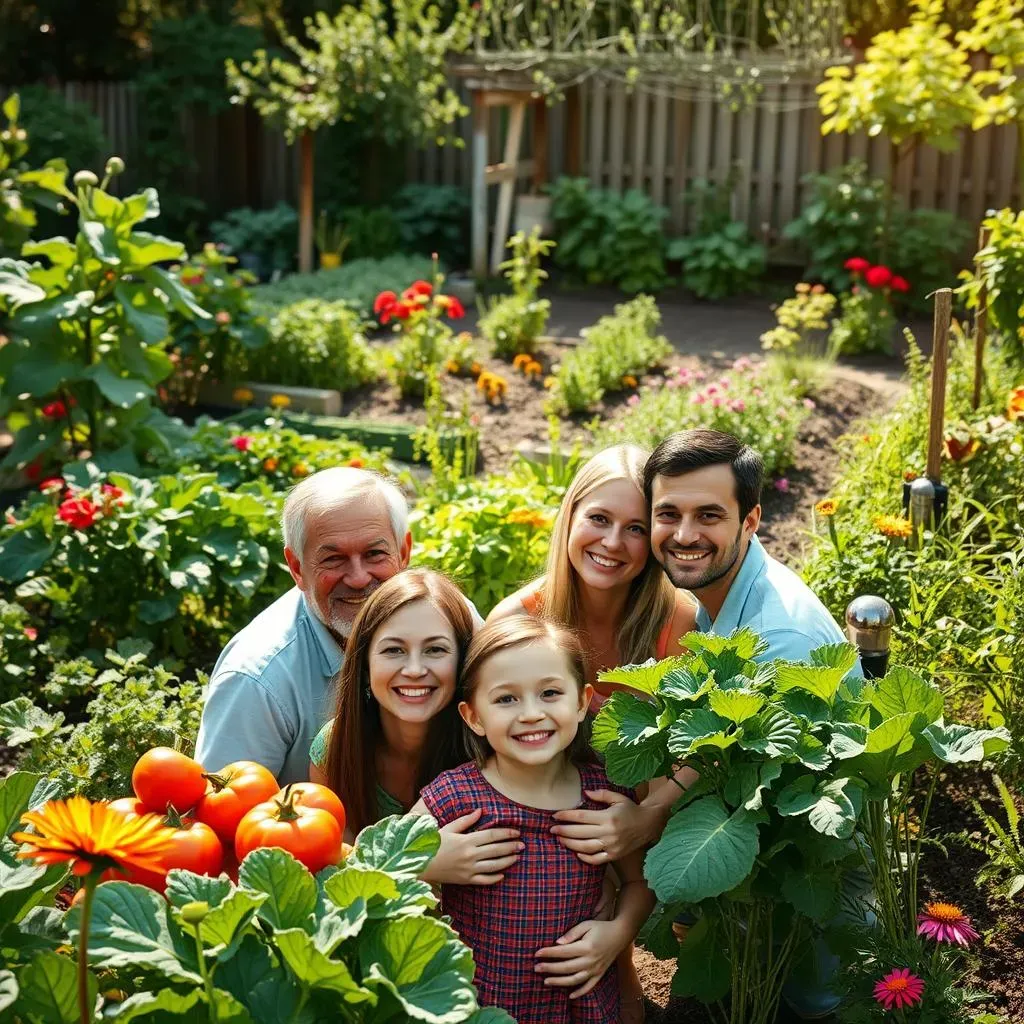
x: 414, y: 659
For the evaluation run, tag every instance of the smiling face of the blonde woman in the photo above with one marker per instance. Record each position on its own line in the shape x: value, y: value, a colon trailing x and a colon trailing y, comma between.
x: 609, y: 543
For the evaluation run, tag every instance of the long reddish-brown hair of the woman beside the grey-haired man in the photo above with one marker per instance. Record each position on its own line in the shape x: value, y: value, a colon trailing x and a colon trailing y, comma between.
x: 357, y: 734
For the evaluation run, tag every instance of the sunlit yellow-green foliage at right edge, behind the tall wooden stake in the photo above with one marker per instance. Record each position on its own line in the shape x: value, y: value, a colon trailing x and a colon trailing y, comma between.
x: 1000, y: 269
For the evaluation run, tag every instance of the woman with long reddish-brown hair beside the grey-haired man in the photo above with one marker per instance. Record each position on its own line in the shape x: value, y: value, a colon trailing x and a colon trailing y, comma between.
x: 397, y: 724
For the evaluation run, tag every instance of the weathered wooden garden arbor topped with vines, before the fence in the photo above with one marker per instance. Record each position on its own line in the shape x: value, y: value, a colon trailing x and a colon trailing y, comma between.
x: 533, y: 53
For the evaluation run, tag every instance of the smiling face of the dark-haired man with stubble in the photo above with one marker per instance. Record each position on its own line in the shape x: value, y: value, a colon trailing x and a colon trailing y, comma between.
x: 697, y: 531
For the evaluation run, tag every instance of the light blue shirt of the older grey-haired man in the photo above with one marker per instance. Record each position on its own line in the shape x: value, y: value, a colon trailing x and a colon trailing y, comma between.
x: 271, y: 692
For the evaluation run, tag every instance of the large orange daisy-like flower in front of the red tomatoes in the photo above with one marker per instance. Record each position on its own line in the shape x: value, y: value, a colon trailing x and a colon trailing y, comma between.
x: 94, y: 837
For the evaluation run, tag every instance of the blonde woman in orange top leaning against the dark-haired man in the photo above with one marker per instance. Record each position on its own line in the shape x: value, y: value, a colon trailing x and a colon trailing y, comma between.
x: 603, y: 581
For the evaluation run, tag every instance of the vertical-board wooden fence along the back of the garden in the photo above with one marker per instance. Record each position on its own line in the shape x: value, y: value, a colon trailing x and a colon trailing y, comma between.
x: 648, y: 141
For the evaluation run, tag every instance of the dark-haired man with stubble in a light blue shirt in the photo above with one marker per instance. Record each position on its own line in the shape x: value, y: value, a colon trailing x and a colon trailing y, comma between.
x: 704, y: 488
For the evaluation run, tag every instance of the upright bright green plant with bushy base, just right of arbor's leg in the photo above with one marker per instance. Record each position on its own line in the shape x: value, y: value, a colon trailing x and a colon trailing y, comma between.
x: 515, y: 323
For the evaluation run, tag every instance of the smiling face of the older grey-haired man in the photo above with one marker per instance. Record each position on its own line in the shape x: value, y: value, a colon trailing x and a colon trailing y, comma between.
x: 349, y: 552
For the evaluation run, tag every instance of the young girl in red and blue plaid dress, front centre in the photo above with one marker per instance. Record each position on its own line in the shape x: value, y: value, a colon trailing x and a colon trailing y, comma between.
x: 525, y: 704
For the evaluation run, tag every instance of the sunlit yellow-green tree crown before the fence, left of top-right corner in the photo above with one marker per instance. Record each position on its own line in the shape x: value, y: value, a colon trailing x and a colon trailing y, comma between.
x: 915, y: 84
